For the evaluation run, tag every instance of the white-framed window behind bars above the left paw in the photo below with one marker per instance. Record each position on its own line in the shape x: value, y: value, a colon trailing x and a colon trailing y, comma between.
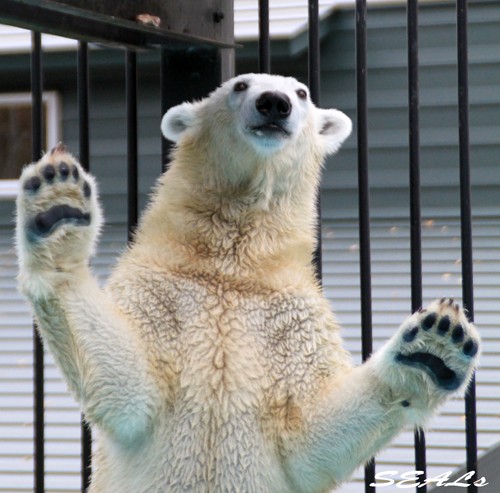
x: 15, y: 135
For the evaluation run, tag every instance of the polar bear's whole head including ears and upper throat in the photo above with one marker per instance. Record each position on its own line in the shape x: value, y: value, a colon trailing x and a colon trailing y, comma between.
x: 256, y: 132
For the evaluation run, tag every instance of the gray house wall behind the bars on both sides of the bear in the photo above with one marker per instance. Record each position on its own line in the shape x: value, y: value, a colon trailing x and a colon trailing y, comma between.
x: 388, y: 139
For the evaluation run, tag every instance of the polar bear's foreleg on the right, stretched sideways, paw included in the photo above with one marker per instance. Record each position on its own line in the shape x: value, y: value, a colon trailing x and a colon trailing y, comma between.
x: 431, y: 357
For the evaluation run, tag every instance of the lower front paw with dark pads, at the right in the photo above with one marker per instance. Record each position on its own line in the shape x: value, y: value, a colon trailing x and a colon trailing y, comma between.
x: 440, y: 342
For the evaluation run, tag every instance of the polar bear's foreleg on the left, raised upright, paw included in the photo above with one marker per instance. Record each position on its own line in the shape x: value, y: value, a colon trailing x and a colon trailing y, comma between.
x: 100, y: 356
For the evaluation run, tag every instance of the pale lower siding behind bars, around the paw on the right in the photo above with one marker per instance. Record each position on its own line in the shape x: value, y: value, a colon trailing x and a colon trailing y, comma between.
x: 391, y: 305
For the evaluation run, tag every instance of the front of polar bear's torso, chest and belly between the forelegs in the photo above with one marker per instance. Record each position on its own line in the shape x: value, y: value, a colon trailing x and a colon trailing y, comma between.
x: 228, y: 403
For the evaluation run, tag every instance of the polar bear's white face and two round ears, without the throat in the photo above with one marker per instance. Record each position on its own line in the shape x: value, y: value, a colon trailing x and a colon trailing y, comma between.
x: 268, y: 112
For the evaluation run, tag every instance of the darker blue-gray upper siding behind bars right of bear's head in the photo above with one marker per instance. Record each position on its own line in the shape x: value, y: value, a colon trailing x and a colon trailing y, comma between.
x: 388, y: 102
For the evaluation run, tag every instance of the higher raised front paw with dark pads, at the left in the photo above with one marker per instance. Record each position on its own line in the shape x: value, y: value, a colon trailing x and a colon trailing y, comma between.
x: 58, y: 216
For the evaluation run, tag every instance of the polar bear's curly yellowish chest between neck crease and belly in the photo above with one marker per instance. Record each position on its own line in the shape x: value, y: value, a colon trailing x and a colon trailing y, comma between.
x: 217, y: 344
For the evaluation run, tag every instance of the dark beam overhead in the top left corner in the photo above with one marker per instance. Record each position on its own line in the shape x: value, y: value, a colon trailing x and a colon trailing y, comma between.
x: 181, y: 23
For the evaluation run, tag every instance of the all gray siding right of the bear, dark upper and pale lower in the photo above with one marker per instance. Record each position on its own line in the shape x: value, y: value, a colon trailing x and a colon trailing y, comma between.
x: 388, y: 164
